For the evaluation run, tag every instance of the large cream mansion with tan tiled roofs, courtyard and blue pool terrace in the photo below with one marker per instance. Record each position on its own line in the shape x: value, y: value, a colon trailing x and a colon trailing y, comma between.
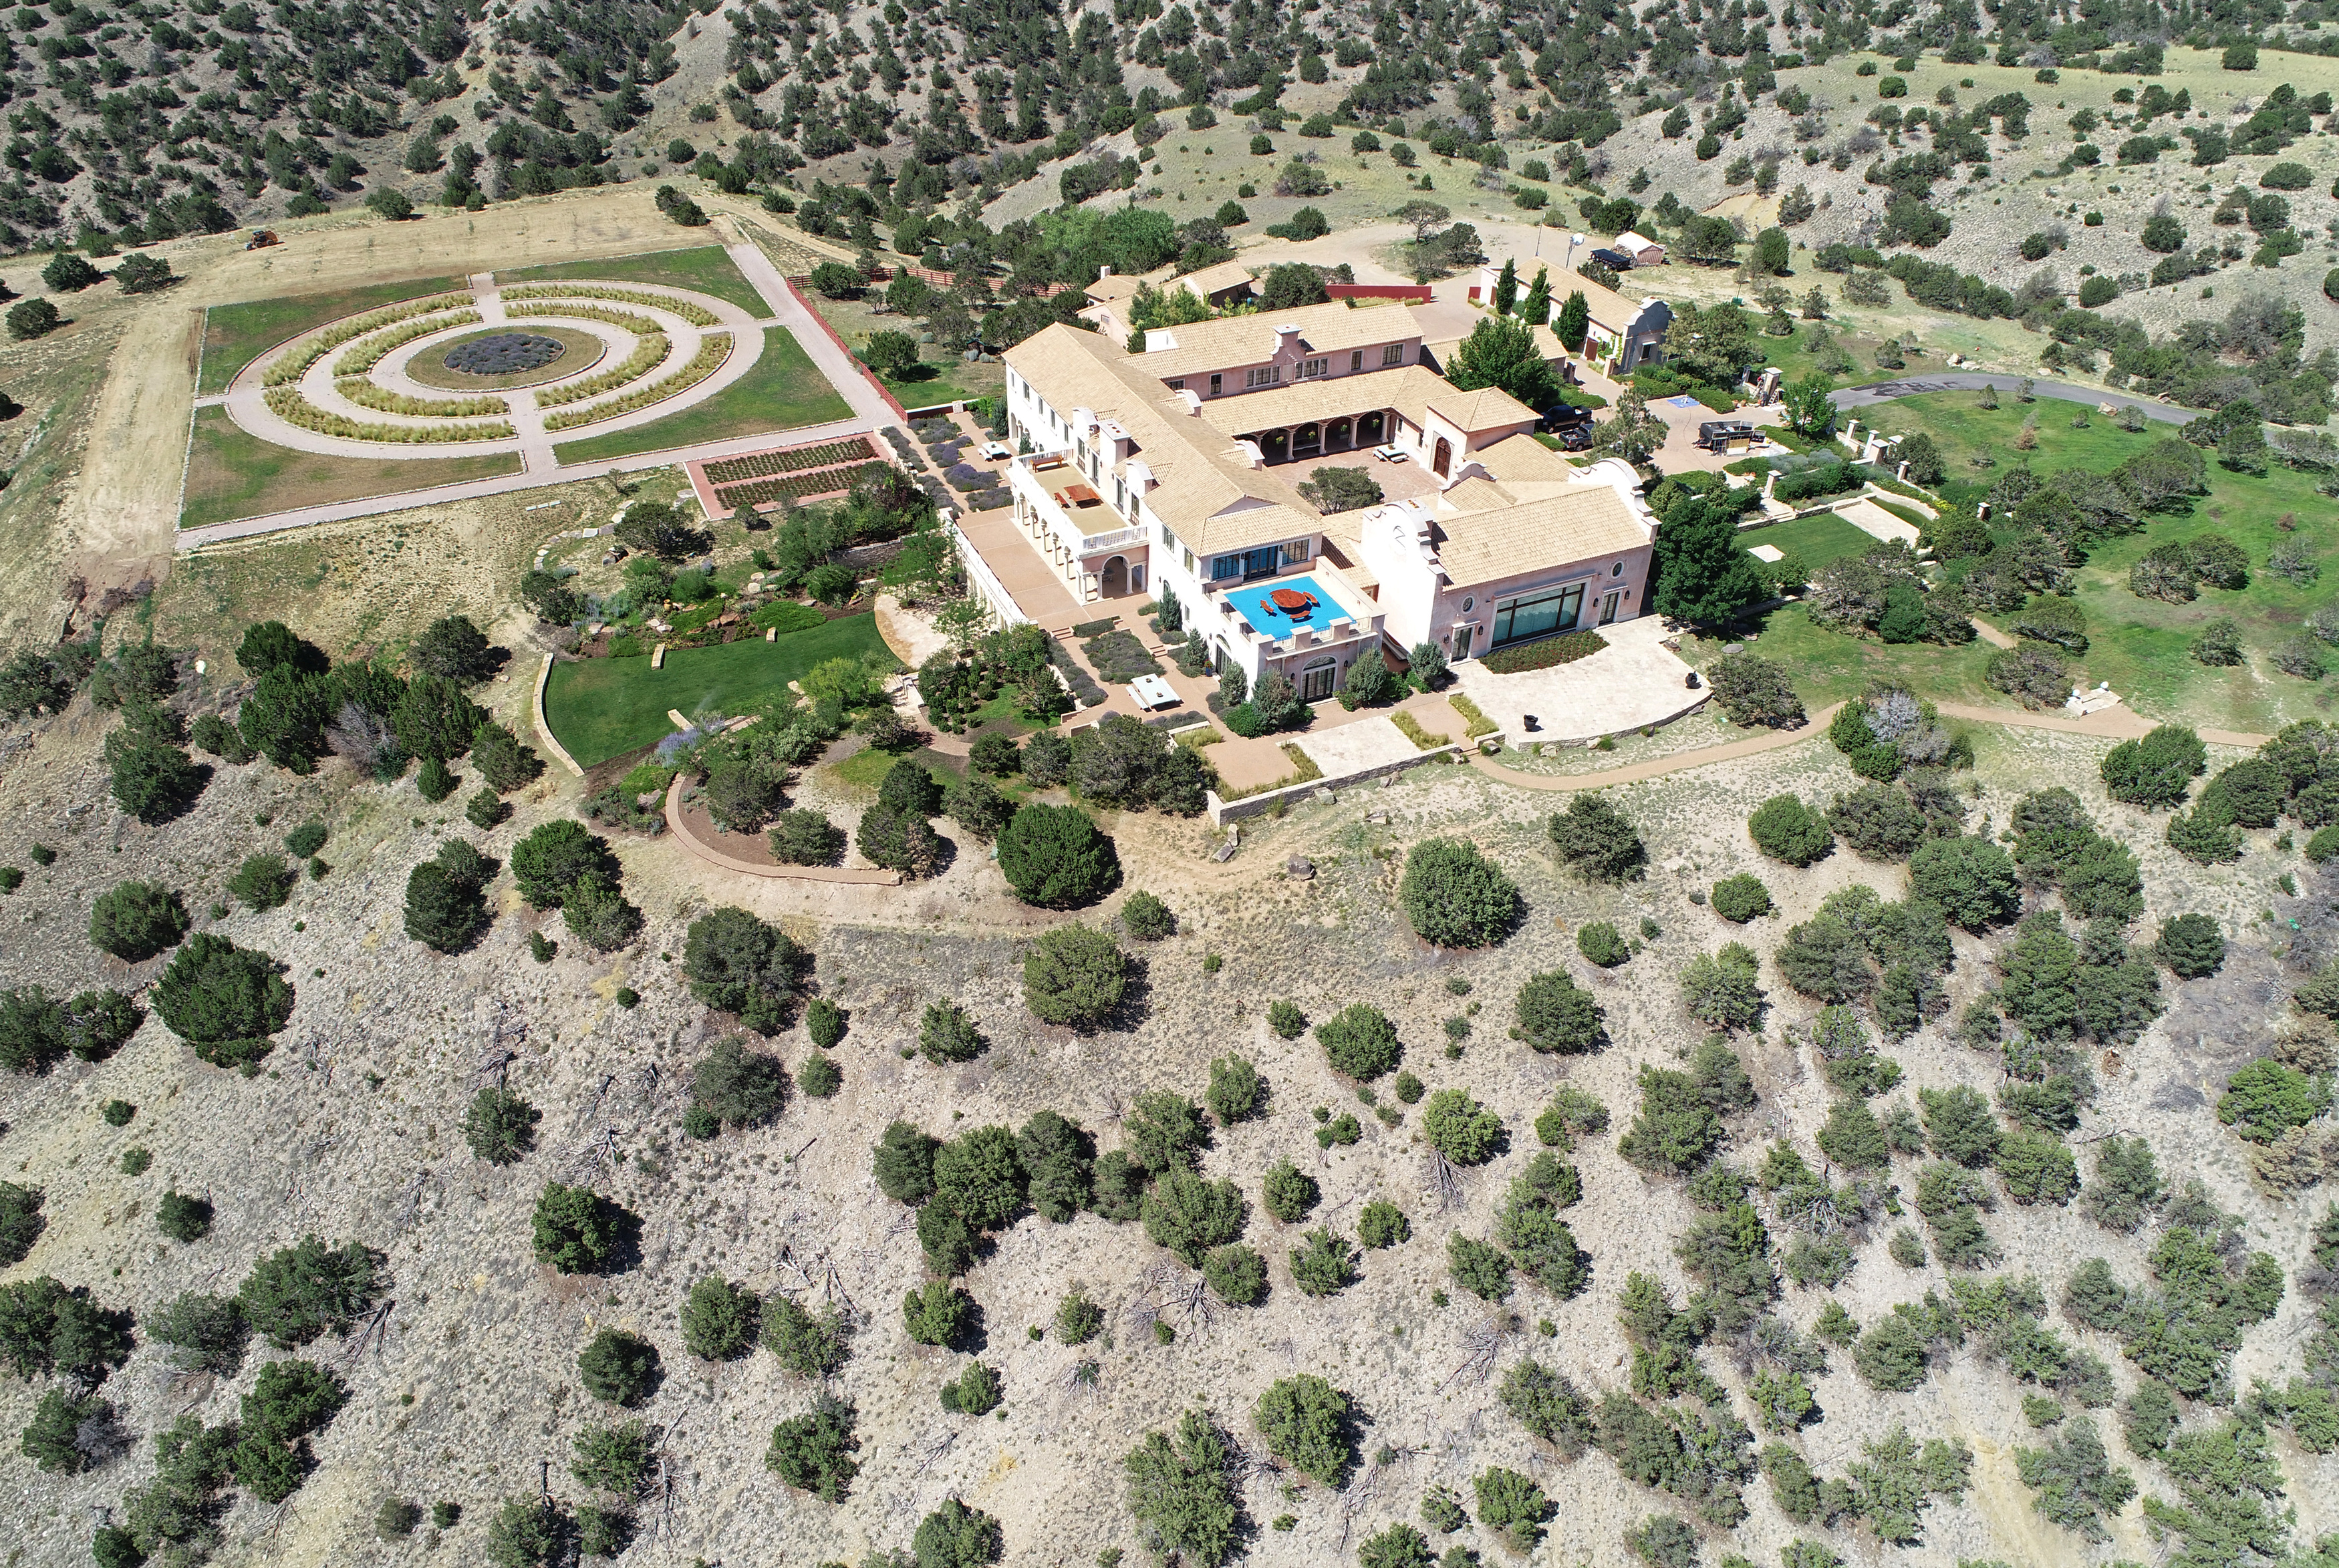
x: 1175, y: 471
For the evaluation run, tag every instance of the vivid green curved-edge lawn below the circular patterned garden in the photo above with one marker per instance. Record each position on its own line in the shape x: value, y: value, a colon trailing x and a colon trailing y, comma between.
x: 609, y: 707
